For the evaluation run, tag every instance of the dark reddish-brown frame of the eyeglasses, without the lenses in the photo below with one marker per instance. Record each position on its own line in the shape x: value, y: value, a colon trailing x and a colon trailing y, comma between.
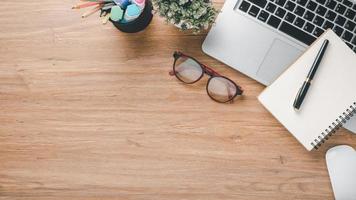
x: 208, y: 71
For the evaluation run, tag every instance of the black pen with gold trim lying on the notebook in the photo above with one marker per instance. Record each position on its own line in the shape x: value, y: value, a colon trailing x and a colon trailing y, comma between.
x: 305, y: 87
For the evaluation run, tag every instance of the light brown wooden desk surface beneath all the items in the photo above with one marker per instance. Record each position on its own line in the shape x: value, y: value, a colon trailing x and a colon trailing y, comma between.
x: 88, y: 112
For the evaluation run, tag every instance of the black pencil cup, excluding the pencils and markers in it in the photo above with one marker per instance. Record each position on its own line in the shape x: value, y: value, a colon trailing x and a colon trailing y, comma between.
x: 138, y: 24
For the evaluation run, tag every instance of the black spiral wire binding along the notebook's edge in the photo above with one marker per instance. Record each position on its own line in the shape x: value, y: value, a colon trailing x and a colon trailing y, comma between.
x: 334, y: 126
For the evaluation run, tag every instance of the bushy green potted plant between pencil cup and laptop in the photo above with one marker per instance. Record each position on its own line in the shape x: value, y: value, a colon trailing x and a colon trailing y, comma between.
x: 195, y: 15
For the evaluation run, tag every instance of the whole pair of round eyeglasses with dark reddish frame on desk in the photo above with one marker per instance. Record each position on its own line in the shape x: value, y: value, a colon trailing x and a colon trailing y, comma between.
x: 189, y: 71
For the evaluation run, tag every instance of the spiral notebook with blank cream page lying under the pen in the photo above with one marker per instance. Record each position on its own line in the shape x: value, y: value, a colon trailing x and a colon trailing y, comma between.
x: 331, y: 99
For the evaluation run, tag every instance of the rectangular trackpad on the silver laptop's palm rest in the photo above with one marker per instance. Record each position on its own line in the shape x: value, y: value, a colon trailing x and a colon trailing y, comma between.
x: 278, y: 58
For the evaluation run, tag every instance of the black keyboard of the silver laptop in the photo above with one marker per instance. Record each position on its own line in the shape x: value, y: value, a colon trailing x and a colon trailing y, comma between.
x: 305, y: 20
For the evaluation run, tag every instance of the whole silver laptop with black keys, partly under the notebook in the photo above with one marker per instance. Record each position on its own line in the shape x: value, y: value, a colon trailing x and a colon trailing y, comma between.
x: 261, y: 38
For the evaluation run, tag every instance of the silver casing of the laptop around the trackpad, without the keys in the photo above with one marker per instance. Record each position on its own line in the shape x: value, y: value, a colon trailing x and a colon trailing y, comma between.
x: 250, y: 47
